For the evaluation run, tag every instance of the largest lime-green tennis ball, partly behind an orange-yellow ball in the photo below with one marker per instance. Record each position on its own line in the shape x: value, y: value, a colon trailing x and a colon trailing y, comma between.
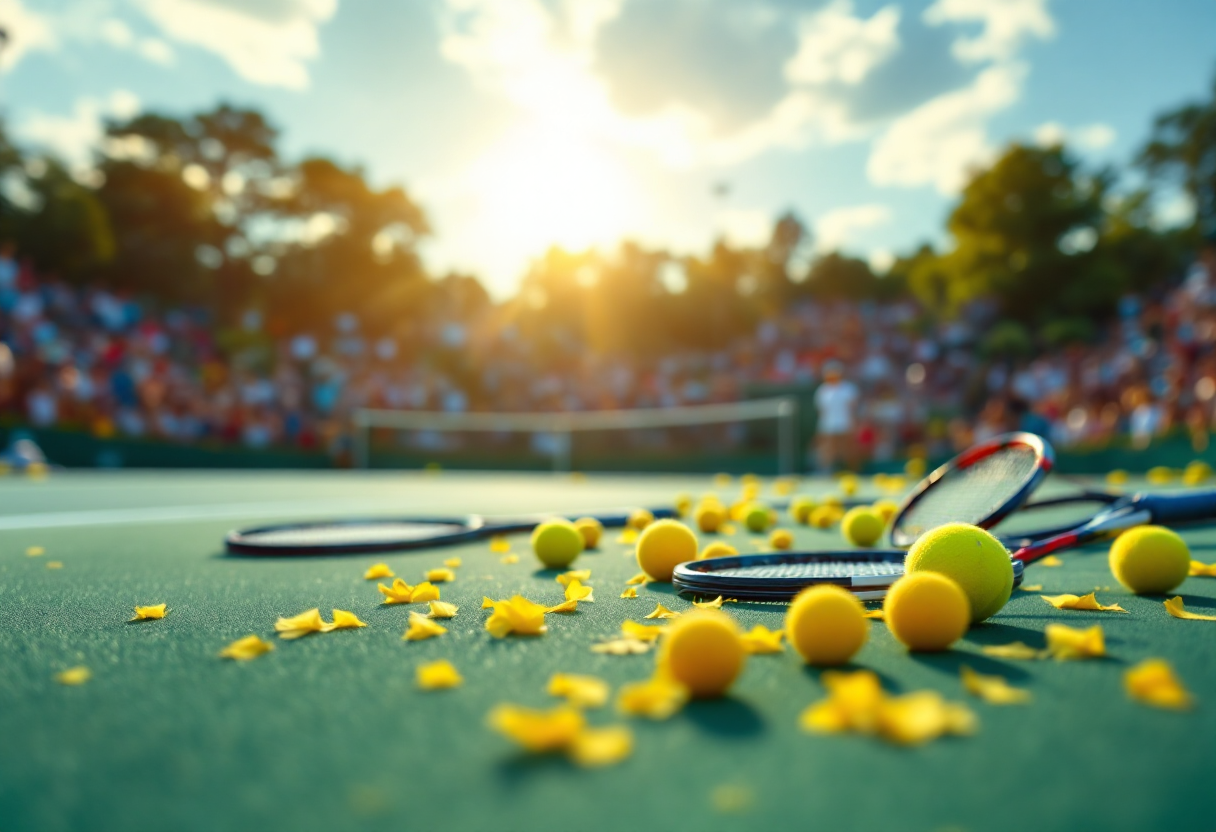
x: 976, y: 560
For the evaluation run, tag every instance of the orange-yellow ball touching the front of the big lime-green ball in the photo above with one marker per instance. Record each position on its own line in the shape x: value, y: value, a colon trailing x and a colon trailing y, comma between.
x: 927, y: 611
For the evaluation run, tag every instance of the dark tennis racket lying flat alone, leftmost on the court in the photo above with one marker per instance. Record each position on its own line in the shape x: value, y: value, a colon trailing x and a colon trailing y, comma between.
x: 364, y: 537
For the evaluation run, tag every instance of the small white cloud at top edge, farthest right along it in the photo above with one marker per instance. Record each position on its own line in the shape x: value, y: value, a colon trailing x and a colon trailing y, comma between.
x: 1006, y: 26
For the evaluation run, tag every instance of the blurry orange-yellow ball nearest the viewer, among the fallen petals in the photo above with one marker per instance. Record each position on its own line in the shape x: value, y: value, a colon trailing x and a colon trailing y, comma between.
x: 702, y: 650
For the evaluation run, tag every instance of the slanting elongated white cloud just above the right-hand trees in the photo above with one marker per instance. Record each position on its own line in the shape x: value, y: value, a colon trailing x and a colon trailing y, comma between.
x: 942, y: 140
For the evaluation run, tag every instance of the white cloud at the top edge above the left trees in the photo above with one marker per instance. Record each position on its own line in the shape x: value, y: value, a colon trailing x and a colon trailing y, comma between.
x: 266, y: 43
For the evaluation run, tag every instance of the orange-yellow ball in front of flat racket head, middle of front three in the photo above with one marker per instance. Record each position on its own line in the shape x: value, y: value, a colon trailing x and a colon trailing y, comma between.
x: 826, y: 625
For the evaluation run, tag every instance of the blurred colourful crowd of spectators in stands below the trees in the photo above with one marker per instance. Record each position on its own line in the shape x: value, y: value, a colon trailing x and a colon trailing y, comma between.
x: 89, y: 359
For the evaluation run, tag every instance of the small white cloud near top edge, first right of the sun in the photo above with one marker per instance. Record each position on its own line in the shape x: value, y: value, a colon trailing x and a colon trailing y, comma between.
x: 837, y: 47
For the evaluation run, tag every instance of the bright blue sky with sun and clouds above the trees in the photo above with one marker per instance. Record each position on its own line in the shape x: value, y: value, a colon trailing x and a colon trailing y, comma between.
x: 520, y: 125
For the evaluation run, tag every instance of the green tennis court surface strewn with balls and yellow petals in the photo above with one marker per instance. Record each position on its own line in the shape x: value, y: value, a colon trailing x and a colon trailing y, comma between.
x: 330, y: 733
